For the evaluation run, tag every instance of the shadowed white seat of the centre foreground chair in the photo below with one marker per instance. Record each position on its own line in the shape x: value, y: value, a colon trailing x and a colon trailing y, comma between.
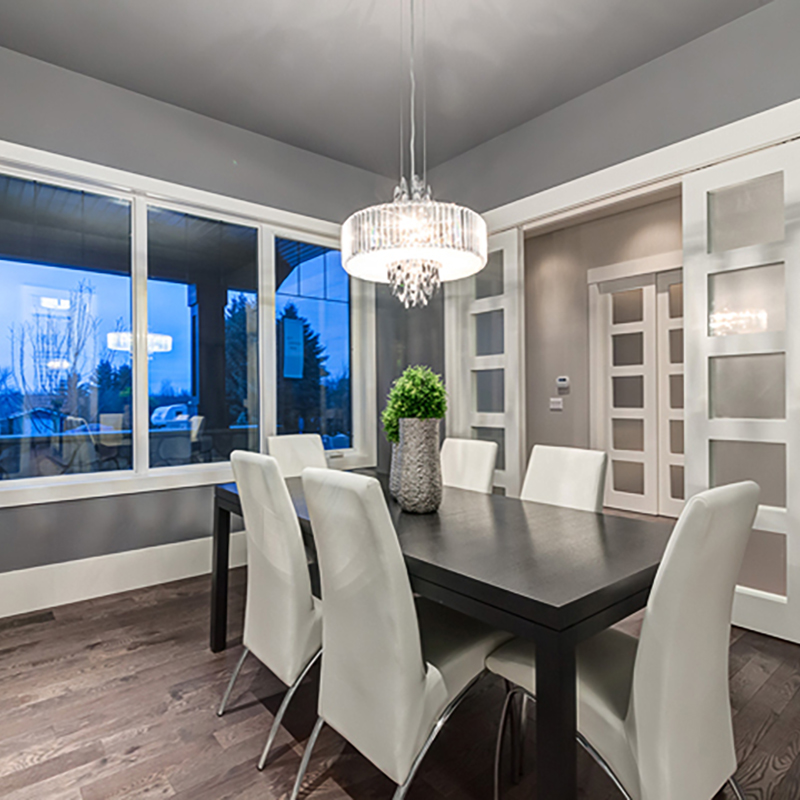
x: 456, y: 645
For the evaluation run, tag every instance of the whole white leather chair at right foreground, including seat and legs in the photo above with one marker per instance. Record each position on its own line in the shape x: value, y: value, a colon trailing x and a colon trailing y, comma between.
x: 655, y: 713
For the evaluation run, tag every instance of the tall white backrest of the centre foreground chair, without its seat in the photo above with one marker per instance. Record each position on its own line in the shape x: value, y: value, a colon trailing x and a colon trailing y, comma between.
x: 372, y: 686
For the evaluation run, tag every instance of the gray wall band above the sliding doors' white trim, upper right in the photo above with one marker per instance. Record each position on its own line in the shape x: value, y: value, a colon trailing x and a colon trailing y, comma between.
x: 747, y: 66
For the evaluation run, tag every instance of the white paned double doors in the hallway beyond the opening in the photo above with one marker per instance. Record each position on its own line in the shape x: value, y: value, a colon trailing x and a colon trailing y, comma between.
x: 637, y: 388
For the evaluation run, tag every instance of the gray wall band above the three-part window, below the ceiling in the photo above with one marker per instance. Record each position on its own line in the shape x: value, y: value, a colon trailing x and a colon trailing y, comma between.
x: 53, y: 109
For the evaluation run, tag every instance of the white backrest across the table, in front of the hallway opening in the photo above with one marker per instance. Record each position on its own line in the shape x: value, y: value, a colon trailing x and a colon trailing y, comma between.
x: 566, y: 476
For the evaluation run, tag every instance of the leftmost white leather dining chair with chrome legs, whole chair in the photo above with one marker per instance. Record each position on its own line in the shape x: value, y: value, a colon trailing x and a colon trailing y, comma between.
x: 282, y: 618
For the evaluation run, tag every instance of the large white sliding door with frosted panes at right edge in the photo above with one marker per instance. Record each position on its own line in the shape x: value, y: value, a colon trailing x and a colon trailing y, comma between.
x: 742, y: 279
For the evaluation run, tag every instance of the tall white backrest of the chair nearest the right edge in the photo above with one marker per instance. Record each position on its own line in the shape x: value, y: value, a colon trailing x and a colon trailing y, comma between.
x: 679, y: 715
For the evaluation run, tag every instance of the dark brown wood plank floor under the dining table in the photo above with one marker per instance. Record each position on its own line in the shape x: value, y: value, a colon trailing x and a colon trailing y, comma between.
x: 116, y: 698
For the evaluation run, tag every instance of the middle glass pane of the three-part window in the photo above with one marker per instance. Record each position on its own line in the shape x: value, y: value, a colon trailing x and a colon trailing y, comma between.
x: 202, y: 337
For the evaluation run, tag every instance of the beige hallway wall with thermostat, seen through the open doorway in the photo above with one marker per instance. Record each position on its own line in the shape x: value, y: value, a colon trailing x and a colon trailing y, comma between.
x: 557, y: 308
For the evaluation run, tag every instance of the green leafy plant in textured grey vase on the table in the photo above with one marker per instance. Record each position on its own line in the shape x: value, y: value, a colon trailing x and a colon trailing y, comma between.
x: 416, y: 403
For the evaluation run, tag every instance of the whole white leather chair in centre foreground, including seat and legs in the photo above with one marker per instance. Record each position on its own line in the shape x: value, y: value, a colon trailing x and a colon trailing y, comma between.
x: 392, y: 670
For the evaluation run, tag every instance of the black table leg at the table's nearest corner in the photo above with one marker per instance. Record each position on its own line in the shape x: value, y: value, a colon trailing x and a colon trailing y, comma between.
x: 556, y: 709
